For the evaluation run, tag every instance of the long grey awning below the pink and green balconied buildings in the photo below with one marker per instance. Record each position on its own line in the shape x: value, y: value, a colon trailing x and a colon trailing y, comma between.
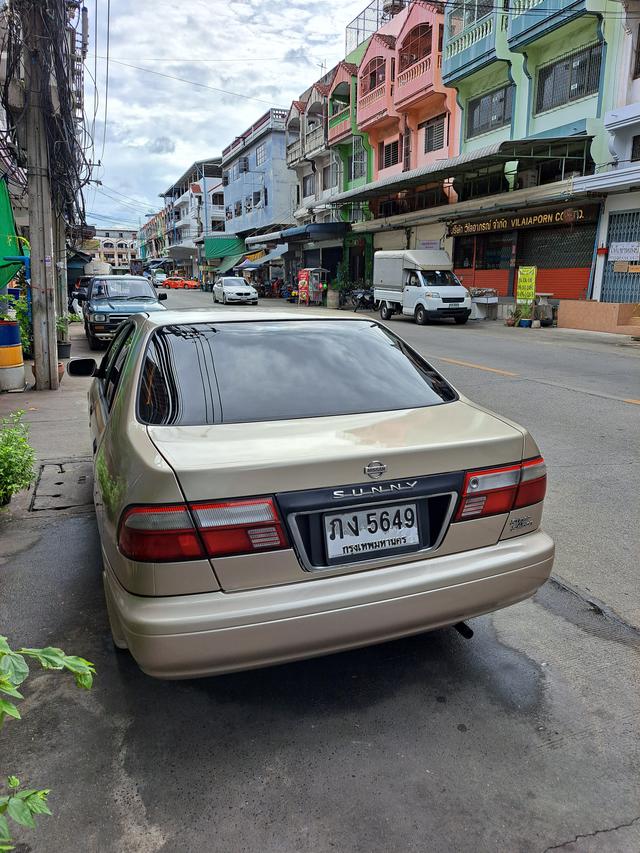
x: 575, y: 149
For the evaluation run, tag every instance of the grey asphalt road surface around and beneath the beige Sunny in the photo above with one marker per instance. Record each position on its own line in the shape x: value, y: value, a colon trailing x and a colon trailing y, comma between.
x: 523, y: 739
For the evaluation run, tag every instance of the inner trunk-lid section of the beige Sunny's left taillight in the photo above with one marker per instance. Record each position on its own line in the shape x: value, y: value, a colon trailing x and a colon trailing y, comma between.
x: 239, y: 527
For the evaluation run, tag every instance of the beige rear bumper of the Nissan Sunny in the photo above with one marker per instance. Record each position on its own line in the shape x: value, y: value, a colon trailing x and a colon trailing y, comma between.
x: 198, y: 635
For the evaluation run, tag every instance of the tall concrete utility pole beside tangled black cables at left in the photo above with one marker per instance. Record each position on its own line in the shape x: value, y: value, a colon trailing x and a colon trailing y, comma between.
x: 43, y: 271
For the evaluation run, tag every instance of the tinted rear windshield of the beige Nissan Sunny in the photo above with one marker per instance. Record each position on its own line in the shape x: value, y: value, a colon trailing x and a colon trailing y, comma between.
x: 241, y: 372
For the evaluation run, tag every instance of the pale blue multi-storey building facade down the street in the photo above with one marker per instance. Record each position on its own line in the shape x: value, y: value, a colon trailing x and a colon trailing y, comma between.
x: 259, y: 188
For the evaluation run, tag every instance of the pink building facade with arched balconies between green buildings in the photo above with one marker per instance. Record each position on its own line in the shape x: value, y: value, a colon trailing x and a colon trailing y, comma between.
x: 411, y: 118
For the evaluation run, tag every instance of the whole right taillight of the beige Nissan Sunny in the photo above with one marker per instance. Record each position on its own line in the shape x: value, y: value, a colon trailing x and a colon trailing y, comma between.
x: 493, y: 491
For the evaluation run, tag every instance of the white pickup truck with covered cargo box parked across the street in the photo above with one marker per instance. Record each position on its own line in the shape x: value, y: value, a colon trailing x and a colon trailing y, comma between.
x: 419, y: 283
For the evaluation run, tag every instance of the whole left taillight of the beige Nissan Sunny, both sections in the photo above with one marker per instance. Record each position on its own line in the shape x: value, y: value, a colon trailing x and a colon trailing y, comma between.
x: 166, y: 534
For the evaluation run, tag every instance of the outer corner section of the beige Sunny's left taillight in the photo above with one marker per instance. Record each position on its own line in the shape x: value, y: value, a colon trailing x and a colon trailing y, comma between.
x: 159, y: 534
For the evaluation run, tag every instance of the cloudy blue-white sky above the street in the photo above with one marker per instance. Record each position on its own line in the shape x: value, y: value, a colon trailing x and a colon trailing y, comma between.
x: 264, y: 52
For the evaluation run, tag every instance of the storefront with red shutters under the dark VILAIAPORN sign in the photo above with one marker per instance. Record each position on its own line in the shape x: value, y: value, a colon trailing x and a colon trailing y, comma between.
x: 559, y: 241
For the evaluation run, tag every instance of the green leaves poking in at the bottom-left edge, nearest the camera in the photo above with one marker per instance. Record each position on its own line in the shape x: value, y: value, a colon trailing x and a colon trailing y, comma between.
x: 21, y: 804
